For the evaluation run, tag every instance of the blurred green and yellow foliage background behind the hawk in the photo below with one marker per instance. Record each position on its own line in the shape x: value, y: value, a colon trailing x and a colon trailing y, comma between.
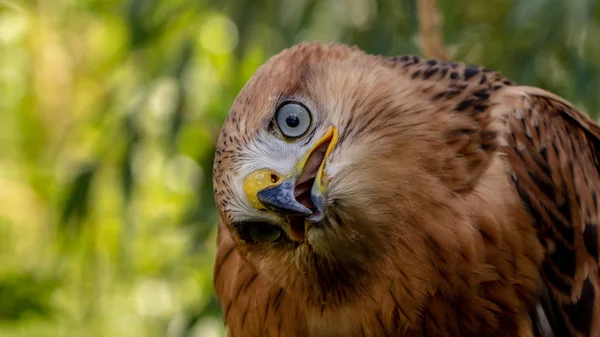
x: 109, y: 111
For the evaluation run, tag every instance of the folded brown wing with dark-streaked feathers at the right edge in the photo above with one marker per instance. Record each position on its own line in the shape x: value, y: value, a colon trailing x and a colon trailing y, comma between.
x: 553, y: 149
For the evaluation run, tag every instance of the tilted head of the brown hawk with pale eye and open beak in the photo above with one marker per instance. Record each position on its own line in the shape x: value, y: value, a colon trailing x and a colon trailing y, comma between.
x: 324, y: 166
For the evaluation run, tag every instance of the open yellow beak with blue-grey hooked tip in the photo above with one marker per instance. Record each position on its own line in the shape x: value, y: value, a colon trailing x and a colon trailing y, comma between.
x: 301, y: 194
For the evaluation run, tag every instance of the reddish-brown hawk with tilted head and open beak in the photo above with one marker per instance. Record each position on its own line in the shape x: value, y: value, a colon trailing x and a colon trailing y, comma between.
x: 362, y: 195
